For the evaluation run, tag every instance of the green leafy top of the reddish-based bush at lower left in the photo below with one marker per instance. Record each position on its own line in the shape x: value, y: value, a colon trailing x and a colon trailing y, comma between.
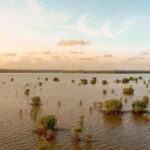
x: 48, y: 122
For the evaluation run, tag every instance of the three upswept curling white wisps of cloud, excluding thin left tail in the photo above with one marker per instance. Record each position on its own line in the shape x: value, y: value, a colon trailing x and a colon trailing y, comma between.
x: 106, y: 30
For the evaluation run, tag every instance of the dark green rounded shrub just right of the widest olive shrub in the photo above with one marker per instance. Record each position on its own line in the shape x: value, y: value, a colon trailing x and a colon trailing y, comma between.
x: 138, y: 106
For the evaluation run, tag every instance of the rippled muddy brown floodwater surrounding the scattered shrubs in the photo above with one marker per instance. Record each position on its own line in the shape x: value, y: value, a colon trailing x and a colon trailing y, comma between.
x: 123, y: 132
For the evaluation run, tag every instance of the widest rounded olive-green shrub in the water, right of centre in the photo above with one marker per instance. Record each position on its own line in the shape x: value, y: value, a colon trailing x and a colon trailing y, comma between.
x: 112, y: 106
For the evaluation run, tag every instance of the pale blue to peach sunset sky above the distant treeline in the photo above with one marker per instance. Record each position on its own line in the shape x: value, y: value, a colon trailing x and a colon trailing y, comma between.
x: 75, y: 34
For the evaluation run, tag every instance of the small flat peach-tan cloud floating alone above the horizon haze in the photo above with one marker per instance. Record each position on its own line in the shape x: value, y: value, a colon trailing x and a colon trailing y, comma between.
x: 73, y: 43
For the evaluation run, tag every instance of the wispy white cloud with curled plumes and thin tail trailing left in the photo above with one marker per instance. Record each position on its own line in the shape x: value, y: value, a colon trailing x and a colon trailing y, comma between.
x: 105, y: 31
